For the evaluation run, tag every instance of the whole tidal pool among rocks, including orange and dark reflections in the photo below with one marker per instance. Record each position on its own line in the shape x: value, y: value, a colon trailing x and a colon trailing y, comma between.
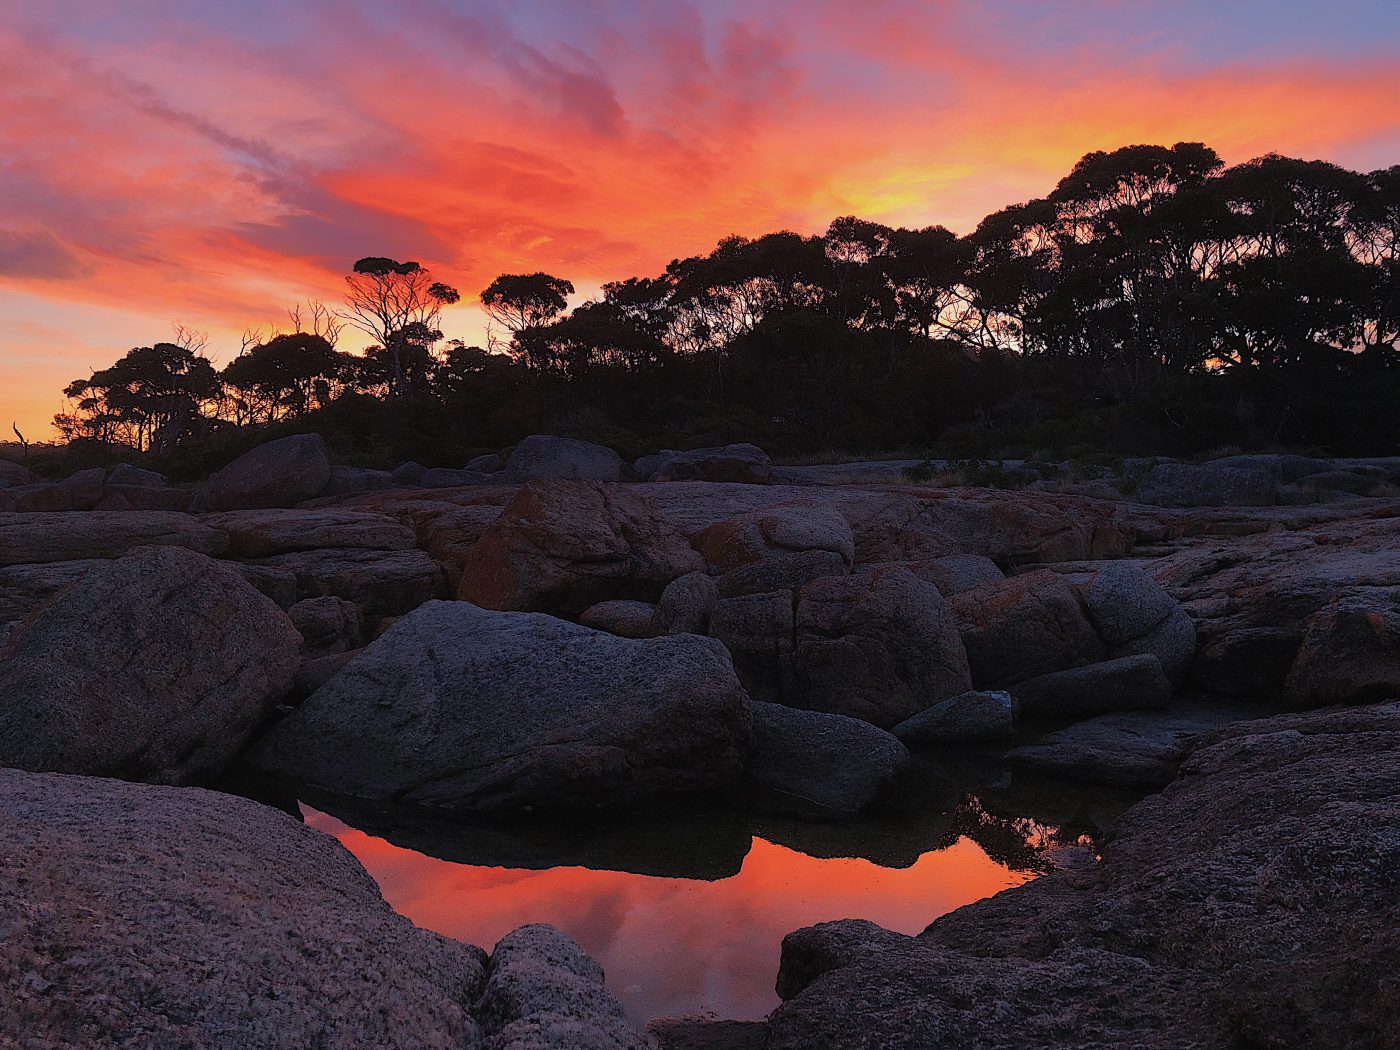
x: 687, y: 915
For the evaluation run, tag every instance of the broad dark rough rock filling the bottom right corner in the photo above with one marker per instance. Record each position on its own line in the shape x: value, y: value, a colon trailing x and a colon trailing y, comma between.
x: 1252, y: 904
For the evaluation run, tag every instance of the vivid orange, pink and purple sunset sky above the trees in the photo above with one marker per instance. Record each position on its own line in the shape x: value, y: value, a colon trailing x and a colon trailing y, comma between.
x: 211, y: 163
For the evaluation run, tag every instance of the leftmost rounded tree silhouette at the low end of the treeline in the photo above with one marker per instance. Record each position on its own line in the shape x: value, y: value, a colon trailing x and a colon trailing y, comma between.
x: 152, y: 400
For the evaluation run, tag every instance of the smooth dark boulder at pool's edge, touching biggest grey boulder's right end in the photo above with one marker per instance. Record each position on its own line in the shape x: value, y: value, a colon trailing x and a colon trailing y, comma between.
x: 813, y: 764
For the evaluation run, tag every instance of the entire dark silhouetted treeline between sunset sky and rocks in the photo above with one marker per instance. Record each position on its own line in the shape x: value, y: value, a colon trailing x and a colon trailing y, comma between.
x: 1156, y: 302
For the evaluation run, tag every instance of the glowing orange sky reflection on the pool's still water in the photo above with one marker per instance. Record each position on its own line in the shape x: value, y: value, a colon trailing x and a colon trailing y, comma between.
x: 678, y: 946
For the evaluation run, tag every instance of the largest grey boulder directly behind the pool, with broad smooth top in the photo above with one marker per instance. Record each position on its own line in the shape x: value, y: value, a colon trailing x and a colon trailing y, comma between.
x: 464, y: 709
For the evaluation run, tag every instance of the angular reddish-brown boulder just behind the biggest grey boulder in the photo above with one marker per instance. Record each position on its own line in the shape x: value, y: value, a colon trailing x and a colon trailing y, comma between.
x: 563, y: 547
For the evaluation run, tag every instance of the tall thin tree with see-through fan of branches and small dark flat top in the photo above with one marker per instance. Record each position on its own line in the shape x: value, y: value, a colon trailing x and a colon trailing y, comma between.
x: 397, y: 304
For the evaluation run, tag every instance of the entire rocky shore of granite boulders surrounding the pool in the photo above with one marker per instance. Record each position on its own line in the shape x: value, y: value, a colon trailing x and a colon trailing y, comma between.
x: 563, y: 633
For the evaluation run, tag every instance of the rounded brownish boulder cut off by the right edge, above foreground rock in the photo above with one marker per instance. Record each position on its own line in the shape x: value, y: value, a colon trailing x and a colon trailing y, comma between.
x: 1350, y: 652
